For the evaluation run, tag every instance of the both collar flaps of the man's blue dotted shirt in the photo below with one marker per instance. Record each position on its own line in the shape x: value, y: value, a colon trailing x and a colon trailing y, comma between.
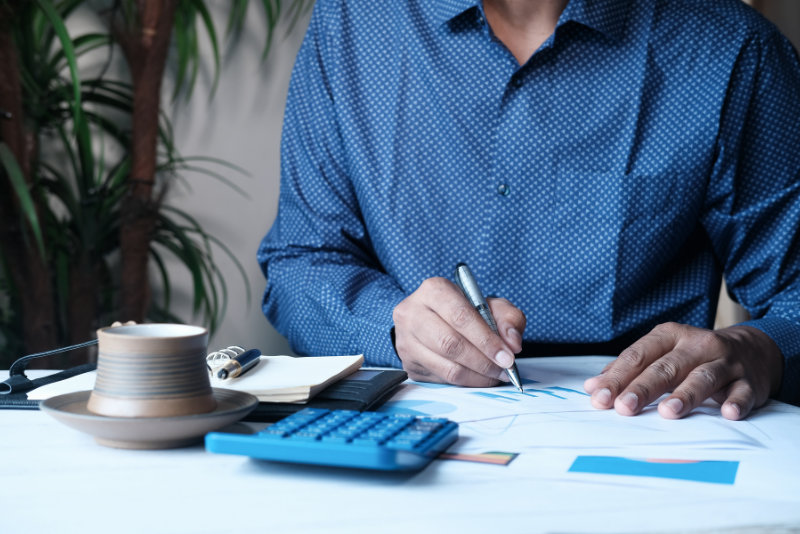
x: 605, y: 16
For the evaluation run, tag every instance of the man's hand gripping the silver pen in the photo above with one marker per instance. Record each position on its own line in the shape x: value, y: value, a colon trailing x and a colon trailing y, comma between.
x: 440, y: 337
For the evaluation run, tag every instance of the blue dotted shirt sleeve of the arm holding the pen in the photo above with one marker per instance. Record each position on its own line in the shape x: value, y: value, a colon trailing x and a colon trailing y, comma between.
x: 326, y: 289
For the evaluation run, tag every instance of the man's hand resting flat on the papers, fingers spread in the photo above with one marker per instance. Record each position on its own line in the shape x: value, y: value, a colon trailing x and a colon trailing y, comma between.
x: 739, y: 367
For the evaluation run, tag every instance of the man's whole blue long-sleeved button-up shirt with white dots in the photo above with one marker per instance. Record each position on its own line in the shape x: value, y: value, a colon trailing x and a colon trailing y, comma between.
x: 603, y: 187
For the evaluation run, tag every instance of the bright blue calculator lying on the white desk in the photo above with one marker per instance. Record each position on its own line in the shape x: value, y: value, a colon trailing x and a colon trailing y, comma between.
x: 345, y: 438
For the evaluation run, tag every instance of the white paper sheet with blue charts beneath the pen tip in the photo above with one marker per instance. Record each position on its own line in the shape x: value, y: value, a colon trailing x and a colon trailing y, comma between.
x: 555, y: 412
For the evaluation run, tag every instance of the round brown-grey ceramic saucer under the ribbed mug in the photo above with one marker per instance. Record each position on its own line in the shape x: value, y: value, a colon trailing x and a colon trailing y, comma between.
x: 148, y: 432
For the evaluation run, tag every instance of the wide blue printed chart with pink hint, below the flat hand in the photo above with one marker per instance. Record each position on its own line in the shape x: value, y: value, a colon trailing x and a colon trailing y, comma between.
x: 695, y: 470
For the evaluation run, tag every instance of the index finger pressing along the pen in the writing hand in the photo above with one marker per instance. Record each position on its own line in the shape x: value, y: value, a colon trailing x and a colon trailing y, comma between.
x: 447, y: 301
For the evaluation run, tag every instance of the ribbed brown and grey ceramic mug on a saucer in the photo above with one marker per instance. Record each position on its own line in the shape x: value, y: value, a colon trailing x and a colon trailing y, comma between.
x: 152, y: 370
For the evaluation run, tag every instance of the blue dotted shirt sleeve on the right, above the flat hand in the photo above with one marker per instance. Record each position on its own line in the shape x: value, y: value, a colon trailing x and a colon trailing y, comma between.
x: 753, y: 203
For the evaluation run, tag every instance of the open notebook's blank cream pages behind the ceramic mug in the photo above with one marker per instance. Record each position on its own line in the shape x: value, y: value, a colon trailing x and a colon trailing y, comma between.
x: 274, y: 379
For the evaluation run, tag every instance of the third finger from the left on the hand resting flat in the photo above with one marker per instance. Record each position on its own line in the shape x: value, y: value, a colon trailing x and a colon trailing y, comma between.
x: 700, y: 384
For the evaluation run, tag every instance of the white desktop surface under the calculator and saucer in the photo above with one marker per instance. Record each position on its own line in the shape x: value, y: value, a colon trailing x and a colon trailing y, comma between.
x: 54, y: 479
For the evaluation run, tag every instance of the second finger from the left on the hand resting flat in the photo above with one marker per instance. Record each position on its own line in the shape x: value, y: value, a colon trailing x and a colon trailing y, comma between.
x: 663, y: 375
